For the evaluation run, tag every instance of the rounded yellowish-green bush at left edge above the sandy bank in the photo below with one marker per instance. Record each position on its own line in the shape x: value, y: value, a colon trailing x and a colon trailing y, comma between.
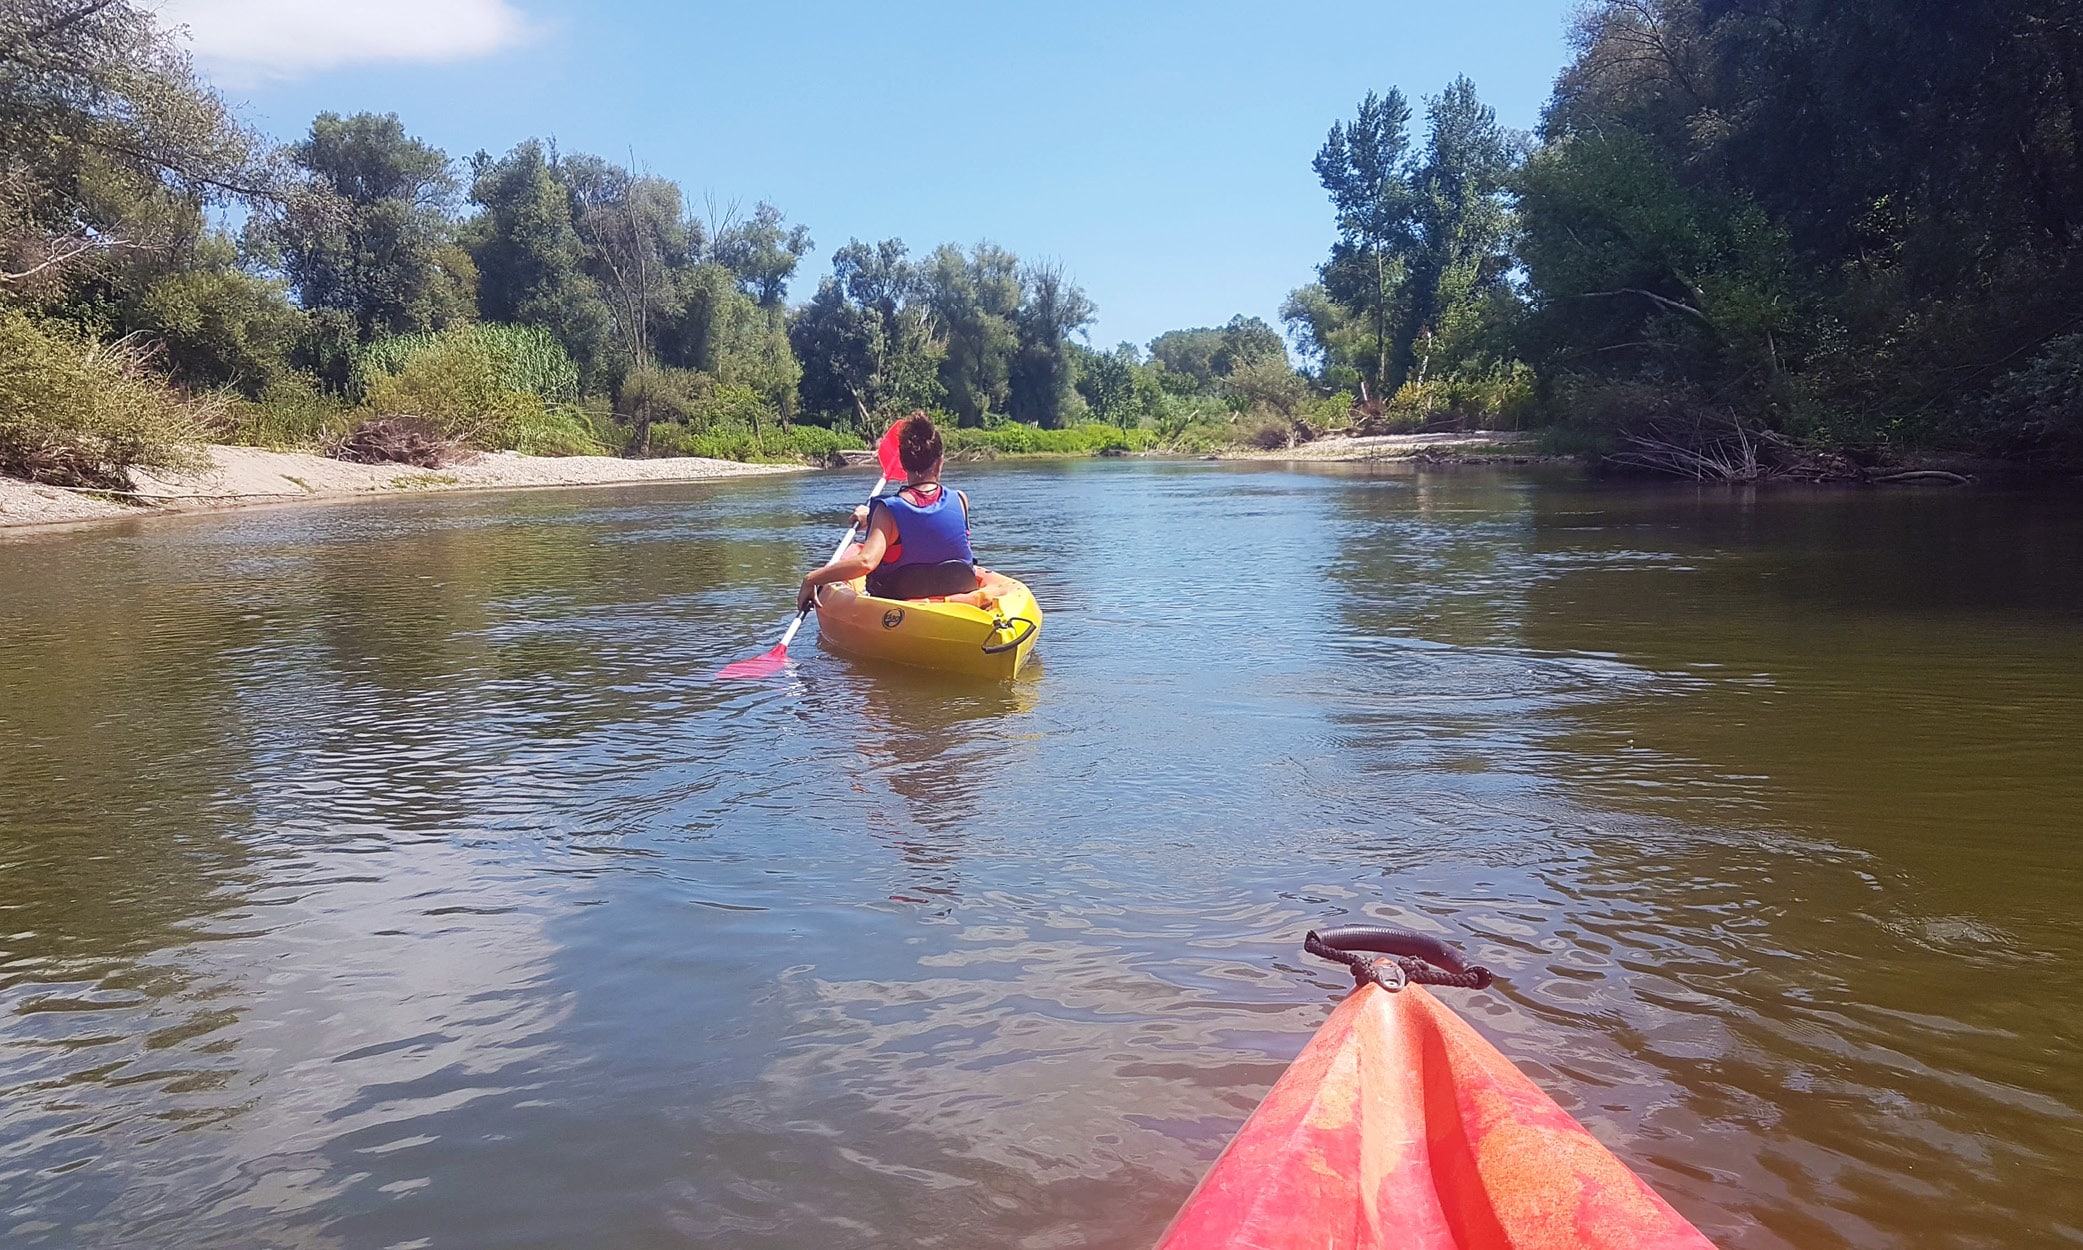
x: 84, y: 414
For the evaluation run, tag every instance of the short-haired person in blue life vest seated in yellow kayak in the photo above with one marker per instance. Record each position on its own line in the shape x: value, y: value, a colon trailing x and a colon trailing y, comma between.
x: 918, y: 543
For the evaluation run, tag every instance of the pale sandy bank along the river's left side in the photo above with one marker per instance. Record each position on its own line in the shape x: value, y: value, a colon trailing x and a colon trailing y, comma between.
x: 251, y: 476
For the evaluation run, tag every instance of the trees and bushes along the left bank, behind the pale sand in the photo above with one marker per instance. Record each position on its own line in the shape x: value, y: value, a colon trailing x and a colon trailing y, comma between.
x: 578, y: 301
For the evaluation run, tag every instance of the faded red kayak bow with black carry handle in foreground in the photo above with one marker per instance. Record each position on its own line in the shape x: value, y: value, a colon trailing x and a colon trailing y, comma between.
x: 1401, y: 1128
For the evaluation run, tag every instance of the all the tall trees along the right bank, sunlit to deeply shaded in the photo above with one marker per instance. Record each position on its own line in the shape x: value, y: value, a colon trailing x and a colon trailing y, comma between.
x: 1745, y: 239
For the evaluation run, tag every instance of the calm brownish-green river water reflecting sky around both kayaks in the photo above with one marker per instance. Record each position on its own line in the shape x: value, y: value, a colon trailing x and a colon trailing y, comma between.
x: 395, y: 874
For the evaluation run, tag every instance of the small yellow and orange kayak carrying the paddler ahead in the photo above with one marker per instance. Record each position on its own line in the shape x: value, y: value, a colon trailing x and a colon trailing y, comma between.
x: 930, y: 634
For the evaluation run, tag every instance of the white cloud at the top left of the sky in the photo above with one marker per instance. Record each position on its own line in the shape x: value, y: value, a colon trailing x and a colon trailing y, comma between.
x: 247, y: 43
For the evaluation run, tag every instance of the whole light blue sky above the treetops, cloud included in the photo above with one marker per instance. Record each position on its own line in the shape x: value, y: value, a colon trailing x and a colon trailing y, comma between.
x: 1159, y: 153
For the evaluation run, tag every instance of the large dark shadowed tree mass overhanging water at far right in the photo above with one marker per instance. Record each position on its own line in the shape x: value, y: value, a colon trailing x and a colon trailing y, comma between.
x: 1851, y: 220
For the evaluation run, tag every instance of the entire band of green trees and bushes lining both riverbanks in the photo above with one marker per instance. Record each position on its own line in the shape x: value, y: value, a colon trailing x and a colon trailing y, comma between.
x: 1740, y: 239
